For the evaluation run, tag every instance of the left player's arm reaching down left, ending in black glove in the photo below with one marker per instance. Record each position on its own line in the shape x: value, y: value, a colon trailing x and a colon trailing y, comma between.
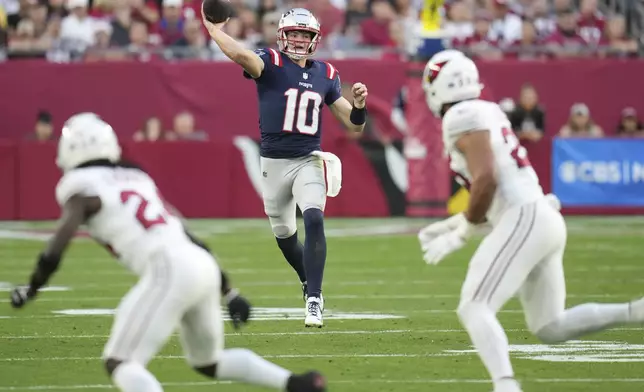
x: 75, y: 211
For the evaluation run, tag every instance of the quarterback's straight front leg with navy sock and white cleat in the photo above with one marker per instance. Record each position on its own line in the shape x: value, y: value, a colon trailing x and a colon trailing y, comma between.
x: 309, y: 190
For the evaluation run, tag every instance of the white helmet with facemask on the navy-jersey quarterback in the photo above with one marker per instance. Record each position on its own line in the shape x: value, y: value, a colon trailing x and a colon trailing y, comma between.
x: 298, y: 19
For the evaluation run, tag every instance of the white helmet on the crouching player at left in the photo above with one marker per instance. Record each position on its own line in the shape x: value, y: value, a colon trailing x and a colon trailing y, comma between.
x: 85, y: 138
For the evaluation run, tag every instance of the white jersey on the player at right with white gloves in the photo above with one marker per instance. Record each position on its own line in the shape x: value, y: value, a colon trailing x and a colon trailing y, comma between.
x: 517, y: 182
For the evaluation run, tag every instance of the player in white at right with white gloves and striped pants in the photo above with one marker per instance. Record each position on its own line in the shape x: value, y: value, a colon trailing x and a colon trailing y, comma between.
x: 523, y: 254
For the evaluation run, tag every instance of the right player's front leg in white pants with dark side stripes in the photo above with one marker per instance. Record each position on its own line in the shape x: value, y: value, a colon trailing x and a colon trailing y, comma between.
x: 495, y: 274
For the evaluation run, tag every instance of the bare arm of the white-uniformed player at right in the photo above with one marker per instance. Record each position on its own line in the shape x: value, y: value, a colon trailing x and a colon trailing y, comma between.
x: 480, y: 163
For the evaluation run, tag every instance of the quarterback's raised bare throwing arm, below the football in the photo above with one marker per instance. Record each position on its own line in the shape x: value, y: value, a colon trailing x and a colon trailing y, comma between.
x: 248, y: 59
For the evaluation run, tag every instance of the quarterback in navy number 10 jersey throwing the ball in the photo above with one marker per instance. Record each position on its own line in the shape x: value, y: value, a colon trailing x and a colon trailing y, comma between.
x: 292, y: 89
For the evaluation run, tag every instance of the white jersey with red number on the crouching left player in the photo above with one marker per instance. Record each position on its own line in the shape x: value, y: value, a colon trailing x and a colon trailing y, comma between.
x: 132, y: 221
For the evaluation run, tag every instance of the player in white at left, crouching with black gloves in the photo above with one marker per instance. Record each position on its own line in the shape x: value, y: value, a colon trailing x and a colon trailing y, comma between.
x: 179, y: 285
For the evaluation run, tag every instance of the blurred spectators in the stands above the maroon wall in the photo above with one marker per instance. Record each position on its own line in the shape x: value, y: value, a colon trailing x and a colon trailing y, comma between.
x: 146, y: 30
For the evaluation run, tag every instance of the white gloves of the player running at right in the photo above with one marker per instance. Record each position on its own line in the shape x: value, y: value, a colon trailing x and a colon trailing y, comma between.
x: 446, y: 237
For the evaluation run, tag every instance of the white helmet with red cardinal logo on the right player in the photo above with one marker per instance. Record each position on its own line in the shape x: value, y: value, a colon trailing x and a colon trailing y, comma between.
x: 450, y: 76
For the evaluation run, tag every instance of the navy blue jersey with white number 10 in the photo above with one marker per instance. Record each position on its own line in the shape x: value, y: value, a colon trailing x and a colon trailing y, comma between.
x: 290, y: 103
